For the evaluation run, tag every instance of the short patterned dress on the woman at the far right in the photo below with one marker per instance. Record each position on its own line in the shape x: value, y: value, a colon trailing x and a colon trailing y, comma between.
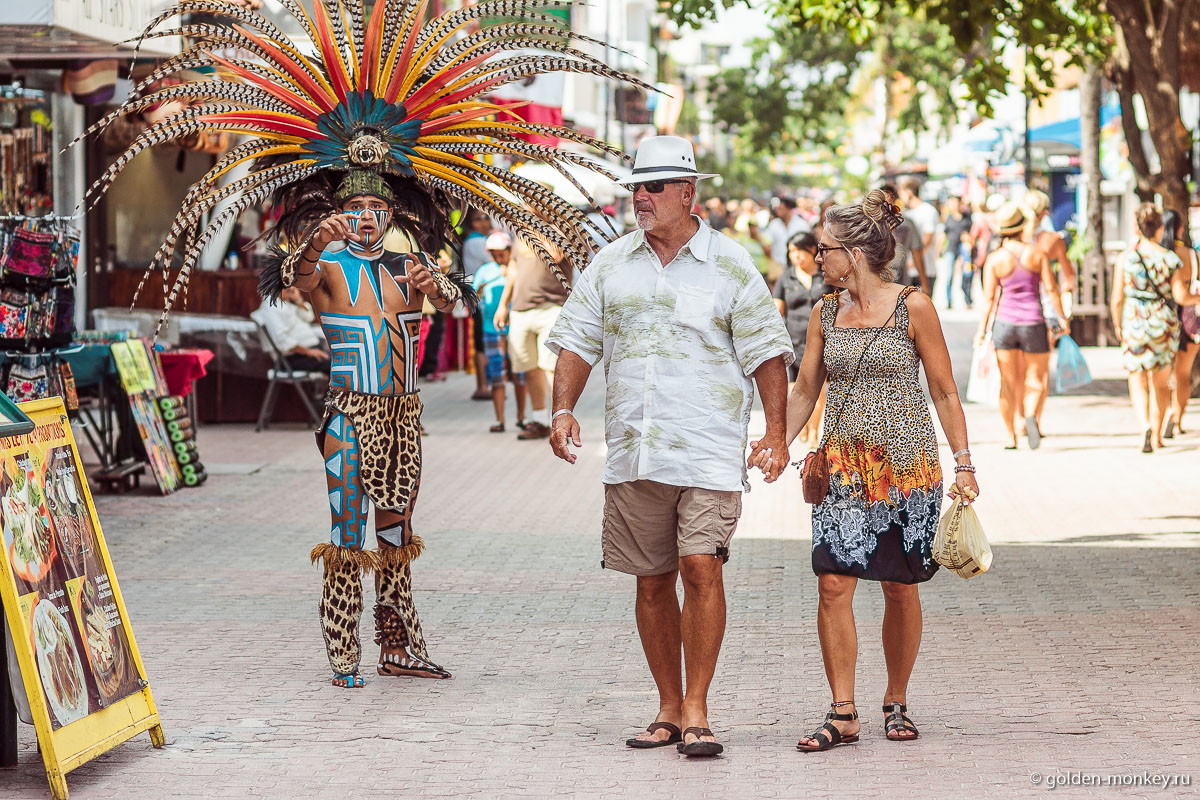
x: 1150, y: 328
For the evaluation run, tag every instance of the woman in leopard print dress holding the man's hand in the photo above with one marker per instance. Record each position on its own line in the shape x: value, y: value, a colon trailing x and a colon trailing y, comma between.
x: 879, y: 519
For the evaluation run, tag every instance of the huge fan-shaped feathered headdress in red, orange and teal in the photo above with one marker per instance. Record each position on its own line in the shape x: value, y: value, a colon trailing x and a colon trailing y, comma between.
x: 388, y: 92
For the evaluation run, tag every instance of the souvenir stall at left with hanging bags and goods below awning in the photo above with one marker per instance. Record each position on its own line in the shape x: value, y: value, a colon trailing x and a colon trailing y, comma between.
x: 128, y: 399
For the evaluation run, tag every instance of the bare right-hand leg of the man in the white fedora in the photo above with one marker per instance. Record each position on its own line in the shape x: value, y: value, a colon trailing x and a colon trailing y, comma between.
x: 703, y: 630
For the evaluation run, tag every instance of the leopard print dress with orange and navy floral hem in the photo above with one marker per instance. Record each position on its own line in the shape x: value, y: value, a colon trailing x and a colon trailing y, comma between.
x: 880, y: 516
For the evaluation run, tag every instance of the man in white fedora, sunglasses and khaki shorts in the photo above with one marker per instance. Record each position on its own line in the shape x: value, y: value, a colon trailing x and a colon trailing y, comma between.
x: 683, y: 322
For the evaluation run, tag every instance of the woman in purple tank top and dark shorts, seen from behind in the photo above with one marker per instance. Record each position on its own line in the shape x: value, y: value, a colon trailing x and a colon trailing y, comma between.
x: 1013, y: 279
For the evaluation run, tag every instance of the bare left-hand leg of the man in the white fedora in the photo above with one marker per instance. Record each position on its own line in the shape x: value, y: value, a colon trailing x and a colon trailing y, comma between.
x: 658, y: 624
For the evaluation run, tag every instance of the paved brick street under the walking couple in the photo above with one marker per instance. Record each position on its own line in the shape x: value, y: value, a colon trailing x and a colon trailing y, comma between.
x: 1077, y: 653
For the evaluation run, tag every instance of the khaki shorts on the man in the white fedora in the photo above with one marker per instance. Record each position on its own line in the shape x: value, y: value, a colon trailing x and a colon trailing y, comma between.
x: 649, y: 526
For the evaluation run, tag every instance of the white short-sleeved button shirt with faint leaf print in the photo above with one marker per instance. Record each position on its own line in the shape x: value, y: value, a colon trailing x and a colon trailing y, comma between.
x: 680, y: 344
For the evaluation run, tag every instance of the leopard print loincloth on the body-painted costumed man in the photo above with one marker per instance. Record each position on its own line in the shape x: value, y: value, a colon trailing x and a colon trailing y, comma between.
x: 389, y: 432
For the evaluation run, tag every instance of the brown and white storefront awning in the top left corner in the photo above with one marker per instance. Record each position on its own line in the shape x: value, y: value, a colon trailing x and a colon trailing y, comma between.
x: 59, y: 31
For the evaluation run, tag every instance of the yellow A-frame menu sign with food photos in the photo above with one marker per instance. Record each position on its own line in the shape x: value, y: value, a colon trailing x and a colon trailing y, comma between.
x: 80, y: 663
